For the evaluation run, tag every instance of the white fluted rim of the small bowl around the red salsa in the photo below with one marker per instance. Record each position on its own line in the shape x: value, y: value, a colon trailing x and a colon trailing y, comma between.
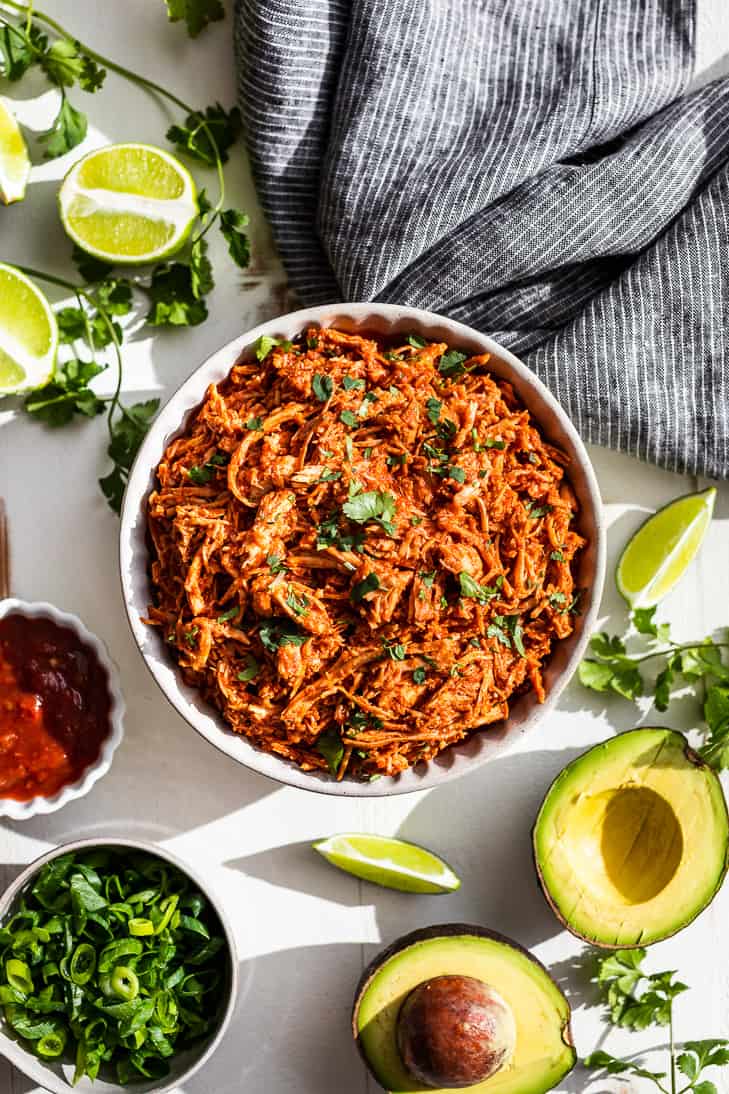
x: 21, y: 811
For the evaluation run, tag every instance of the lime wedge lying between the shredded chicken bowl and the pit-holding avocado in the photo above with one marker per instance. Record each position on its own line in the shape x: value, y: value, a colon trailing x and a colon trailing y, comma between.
x: 394, y: 864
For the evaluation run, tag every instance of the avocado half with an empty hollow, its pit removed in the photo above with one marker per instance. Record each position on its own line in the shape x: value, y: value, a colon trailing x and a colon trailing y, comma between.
x: 632, y: 841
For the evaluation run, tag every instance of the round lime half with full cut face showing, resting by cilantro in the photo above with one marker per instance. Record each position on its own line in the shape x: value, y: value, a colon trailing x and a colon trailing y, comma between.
x: 129, y: 204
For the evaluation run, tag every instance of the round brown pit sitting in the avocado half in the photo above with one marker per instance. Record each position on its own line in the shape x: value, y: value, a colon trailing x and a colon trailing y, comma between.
x: 455, y: 1032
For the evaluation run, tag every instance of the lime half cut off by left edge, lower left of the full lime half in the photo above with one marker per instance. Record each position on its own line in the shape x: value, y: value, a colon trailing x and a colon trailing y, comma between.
x: 29, y: 334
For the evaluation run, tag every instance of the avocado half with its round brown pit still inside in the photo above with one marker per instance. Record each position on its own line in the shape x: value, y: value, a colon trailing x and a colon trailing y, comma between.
x: 531, y: 1019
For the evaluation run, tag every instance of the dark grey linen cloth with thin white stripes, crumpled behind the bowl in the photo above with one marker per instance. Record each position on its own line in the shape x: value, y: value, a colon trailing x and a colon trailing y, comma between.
x: 531, y: 168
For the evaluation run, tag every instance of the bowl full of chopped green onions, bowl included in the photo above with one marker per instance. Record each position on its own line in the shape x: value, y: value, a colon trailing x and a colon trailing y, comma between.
x: 118, y: 970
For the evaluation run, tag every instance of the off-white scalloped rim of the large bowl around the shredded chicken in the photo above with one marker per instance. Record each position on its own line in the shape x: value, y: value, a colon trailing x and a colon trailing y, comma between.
x: 134, y: 554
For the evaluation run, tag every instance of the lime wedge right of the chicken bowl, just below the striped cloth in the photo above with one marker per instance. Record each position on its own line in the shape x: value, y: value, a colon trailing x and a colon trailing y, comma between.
x: 661, y: 551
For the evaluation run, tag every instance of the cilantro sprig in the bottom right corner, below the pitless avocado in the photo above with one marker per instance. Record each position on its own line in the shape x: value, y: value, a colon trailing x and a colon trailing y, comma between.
x: 637, y: 1000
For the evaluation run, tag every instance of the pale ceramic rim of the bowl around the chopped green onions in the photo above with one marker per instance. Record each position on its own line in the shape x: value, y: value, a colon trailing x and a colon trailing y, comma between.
x: 57, y: 1076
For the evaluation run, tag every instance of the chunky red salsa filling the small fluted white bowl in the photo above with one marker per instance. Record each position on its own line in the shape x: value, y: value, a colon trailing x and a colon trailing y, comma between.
x: 54, y: 707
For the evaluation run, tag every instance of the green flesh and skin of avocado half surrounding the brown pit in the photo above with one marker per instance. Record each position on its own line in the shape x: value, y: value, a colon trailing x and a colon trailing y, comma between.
x: 543, y: 1053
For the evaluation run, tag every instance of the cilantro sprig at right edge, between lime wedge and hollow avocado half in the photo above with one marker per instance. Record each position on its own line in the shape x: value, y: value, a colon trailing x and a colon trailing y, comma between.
x: 700, y: 666
